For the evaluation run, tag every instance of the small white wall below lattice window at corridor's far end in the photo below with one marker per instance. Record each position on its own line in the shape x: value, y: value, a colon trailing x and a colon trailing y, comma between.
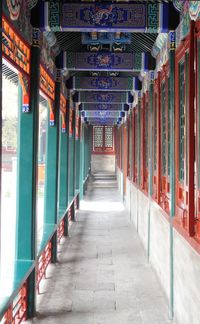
x: 103, y: 163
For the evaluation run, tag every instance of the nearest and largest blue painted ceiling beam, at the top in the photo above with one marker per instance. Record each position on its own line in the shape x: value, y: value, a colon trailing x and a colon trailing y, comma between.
x: 140, y: 16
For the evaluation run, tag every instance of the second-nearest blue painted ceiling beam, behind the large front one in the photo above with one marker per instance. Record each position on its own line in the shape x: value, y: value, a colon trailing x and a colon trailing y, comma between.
x: 108, y: 61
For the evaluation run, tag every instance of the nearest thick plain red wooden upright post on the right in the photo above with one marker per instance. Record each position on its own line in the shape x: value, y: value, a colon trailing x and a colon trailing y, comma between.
x: 191, y: 137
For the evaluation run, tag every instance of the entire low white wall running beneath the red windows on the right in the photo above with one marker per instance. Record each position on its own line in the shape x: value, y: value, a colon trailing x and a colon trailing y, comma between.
x: 155, y: 234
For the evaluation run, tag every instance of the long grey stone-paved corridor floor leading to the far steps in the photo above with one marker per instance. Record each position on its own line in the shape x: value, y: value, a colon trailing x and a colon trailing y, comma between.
x: 103, y: 275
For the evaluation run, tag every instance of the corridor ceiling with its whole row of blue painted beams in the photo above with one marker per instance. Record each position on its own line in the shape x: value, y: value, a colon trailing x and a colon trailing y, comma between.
x: 105, y: 48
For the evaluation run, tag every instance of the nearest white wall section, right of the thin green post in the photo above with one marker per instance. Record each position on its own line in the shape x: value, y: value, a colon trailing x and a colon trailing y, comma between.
x: 186, y: 282
